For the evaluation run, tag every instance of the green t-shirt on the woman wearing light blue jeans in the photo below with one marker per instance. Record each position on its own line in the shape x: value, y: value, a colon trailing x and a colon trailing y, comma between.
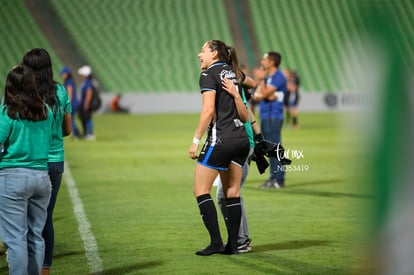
x: 27, y: 142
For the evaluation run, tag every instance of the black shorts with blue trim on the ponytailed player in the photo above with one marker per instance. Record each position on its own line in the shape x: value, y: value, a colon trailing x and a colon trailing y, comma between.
x: 225, y: 151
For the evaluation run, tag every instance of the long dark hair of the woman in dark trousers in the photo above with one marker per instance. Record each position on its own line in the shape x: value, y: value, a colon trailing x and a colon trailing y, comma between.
x: 39, y: 61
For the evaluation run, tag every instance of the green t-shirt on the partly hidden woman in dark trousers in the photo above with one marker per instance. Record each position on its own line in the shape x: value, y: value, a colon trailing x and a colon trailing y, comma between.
x: 62, y: 107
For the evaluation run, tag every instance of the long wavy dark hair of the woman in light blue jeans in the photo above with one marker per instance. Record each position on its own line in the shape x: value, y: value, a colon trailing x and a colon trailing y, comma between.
x: 21, y: 97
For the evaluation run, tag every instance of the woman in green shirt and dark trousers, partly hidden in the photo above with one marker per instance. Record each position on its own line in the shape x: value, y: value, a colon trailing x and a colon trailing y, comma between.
x: 56, y: 96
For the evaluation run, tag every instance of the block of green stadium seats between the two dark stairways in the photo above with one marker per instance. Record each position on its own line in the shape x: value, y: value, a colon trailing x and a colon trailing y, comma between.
x: 144, y: 46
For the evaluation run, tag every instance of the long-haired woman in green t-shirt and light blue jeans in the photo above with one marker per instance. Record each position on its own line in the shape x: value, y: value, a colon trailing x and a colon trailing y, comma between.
x: 25, y: 188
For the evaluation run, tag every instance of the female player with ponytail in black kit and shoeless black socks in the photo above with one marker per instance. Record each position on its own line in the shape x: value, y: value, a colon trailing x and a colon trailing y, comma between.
x: 226, y: 147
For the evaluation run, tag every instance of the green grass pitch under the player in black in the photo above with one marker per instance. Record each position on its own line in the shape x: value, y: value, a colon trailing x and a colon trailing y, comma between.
x: 135, y: 182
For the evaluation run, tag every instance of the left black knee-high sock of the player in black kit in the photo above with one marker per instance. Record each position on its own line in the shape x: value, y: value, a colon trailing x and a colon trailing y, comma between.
x: 208, y: 213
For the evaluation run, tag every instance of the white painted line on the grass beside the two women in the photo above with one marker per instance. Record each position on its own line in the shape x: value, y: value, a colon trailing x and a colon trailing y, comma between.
x: 89, y: 242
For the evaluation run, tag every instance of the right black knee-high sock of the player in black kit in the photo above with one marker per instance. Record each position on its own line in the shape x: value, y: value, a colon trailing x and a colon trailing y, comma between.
x: 233, y: 218
